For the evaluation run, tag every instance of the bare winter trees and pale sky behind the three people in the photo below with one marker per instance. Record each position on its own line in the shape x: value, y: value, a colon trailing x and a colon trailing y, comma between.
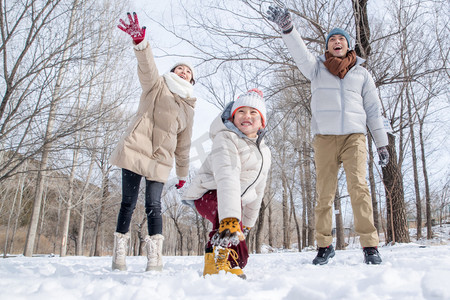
x: 69, y: 86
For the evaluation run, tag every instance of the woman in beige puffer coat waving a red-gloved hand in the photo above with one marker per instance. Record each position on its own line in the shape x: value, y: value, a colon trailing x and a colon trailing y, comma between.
x: 160, y: 132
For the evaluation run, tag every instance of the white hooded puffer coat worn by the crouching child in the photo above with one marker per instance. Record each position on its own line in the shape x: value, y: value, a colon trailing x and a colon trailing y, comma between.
x: 237, y: 168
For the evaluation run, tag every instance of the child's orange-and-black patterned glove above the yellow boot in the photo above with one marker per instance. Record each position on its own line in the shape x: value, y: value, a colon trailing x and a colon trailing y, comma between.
x: 229, y: 233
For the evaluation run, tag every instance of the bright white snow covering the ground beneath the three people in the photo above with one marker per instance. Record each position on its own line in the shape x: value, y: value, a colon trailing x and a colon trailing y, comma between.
x: 409, y: 271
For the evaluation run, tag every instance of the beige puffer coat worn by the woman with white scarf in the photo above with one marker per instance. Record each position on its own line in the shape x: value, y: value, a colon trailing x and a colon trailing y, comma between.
x: 160, y: 131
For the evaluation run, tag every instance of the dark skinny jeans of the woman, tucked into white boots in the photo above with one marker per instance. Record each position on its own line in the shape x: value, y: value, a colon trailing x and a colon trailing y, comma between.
x: 130, y: 192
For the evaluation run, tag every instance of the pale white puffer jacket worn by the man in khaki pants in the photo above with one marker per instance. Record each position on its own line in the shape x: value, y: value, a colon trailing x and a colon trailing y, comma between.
x: 339, y: 106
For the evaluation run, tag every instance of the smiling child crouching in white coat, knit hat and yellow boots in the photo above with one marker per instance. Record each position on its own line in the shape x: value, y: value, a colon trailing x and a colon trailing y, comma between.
x: 229, y: 187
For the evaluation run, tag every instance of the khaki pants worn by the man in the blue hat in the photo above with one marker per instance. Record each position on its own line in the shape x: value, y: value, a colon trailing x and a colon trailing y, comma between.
x: 330, y: 151
